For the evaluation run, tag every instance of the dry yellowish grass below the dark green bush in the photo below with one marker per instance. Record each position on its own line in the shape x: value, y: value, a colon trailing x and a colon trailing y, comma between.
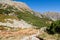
x: 47, y: 36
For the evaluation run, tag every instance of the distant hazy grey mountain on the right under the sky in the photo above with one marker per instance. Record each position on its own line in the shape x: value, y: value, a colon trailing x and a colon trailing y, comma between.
x: 52, y: 15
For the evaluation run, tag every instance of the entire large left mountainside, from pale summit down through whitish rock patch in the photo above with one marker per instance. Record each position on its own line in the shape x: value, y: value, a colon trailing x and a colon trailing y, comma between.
x: 17, y: 14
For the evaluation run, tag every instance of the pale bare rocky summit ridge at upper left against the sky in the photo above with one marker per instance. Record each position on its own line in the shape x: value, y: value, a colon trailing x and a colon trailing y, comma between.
x: 19, y: 5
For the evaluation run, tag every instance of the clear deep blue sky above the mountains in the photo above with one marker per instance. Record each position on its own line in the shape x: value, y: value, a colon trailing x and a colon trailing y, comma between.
x: 43, y: 5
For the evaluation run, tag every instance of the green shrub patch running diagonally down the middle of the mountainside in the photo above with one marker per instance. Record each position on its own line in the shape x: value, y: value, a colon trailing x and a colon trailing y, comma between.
x: 32, y: 19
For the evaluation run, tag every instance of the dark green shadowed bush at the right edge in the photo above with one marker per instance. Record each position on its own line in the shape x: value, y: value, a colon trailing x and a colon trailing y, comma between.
x: 54, y: 27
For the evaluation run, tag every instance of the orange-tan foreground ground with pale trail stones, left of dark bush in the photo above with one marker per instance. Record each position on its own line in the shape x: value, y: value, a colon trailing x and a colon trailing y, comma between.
x: 25, y: 34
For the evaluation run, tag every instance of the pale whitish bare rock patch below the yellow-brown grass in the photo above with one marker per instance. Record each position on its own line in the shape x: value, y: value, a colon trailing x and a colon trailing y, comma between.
x: 15, y: 23
